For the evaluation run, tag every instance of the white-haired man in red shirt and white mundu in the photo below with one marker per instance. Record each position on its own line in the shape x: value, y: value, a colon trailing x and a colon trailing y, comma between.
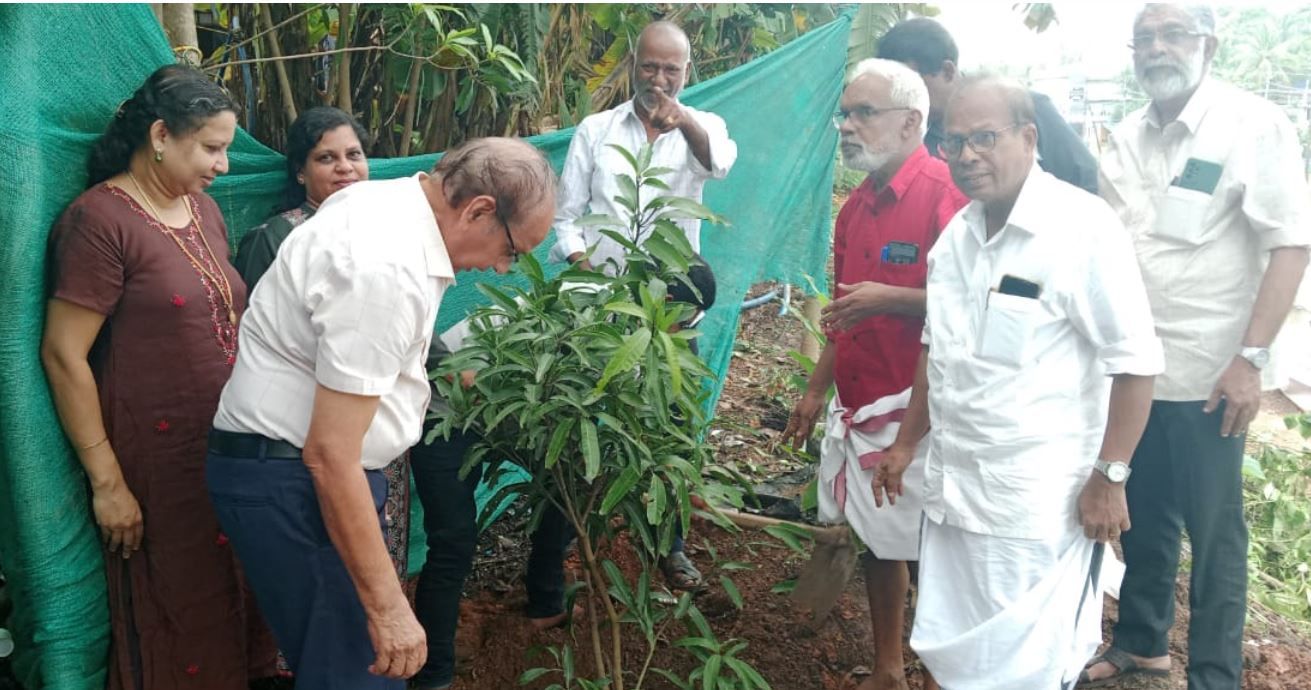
x: 882, y: 243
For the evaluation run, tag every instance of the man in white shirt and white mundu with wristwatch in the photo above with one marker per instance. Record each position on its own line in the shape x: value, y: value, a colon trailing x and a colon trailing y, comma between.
x: 1036, y: 376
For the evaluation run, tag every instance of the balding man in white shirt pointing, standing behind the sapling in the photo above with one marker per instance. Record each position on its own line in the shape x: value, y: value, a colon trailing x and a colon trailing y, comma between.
x: 694, y: 145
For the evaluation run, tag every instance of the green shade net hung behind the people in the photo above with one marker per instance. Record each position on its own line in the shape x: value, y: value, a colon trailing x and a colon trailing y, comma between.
x: 65, y: 70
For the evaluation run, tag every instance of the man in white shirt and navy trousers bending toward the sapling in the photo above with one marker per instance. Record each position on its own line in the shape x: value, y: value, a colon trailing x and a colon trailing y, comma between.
x: 330, y: 388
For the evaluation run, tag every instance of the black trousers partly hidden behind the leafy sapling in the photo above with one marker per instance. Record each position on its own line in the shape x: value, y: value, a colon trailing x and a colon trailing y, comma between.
x: 450, y: 521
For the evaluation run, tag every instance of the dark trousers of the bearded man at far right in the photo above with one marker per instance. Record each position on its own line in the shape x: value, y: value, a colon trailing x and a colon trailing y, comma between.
x: 1186, y: 477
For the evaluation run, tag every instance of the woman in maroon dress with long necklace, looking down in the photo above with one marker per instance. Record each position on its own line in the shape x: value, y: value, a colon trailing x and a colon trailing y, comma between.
x: 141, y: 336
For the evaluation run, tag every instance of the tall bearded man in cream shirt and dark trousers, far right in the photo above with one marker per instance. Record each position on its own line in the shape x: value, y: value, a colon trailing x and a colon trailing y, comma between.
x: 1209, y: 182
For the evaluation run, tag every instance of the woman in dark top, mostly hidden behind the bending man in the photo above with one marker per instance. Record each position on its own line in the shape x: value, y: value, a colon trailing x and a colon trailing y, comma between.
x: 324, y: 154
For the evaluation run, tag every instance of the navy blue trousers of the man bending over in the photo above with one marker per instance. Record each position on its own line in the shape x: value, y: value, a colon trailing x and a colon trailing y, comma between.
x: 271, y: 512
